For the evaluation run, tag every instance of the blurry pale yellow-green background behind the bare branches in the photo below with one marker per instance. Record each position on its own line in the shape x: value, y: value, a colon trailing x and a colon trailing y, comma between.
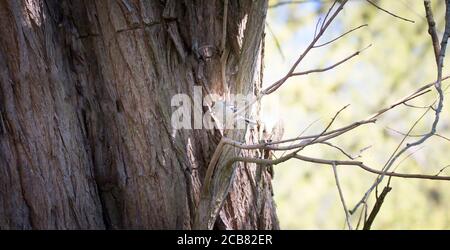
x: 400, y: 60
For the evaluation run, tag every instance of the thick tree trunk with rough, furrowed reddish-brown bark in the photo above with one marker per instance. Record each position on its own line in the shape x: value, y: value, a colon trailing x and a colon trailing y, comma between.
x: 86, y: 140
